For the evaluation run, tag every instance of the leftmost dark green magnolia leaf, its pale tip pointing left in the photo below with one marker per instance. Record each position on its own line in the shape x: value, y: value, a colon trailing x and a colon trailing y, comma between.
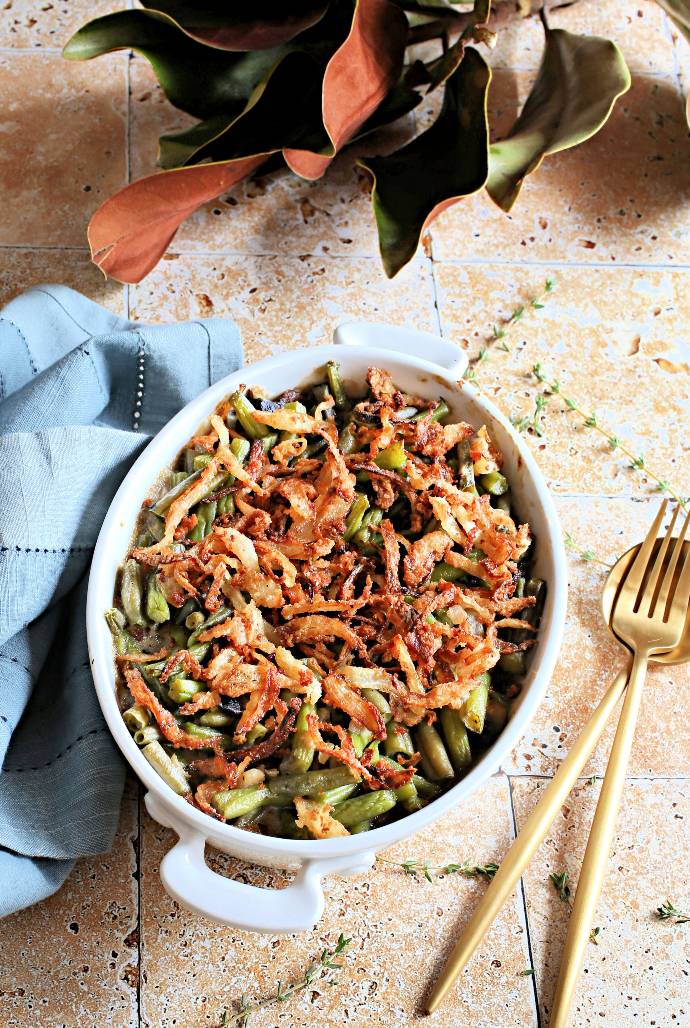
x: 197, y: 80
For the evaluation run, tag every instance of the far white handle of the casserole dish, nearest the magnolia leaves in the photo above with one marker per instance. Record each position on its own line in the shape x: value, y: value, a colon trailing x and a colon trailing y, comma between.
x: 405, y: 341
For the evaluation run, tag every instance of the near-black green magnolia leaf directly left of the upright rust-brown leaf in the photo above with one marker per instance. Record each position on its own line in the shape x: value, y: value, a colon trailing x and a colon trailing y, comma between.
x: 283, y: 111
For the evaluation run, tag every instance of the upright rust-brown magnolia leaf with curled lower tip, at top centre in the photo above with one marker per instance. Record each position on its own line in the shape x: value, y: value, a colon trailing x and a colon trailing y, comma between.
x: 358, y: 78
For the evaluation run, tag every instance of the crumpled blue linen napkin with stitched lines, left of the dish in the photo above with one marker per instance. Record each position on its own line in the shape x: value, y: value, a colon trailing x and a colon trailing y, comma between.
x: 82, y: 391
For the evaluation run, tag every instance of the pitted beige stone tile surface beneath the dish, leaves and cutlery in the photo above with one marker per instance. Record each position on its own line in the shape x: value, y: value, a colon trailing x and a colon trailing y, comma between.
x: 287, y: 260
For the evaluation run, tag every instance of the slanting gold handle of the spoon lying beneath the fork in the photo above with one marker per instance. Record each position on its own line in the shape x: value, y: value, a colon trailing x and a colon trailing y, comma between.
x: 528, y: 841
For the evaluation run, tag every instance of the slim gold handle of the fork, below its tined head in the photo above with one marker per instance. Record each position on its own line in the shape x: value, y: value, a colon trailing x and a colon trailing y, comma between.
x: 599, y: 849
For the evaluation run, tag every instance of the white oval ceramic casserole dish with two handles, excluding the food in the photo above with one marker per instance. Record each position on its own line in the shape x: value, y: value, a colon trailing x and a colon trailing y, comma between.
x: 419, y: 363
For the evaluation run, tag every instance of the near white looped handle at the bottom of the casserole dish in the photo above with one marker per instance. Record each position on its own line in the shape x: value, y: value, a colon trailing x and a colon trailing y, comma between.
x: 190, y: 880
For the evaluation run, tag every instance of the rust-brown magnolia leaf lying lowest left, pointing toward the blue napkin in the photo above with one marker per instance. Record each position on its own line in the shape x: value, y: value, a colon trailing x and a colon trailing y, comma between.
x: 131, y: 232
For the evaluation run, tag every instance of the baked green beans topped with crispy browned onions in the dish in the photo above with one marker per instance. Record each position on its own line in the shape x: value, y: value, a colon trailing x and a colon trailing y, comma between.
x: 328, y: 611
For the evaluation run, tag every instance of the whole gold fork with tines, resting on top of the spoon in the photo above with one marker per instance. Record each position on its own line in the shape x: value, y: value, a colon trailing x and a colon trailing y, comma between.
x: 649, y: 615
